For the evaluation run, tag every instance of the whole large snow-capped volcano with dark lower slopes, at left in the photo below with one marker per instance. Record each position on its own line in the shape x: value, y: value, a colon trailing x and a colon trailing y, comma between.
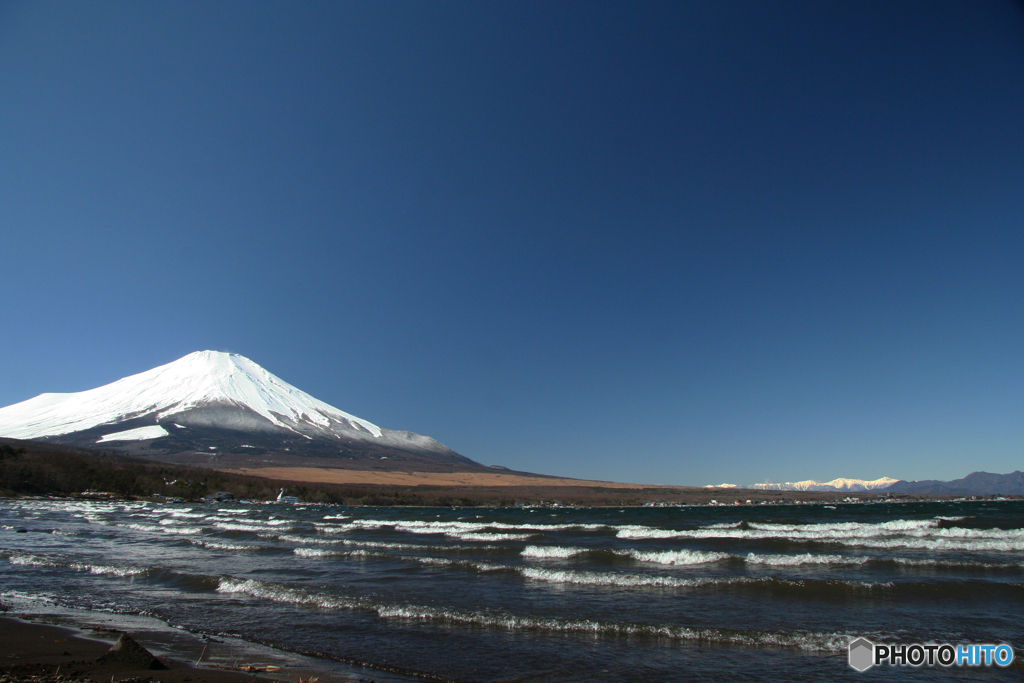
x: 223, y: 410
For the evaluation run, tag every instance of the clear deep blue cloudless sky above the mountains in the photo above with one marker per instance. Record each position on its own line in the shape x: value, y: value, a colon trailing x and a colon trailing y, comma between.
x: 670, y: 243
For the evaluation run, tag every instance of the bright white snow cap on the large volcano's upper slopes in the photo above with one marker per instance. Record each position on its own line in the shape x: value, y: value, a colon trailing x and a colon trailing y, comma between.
x: 198, y: 380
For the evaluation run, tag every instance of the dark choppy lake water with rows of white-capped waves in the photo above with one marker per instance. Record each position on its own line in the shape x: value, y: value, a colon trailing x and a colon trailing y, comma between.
x: 769, y: 593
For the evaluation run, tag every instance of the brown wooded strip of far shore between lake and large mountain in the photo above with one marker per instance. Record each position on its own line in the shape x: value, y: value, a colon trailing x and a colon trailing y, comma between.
x: 32, y: 468
